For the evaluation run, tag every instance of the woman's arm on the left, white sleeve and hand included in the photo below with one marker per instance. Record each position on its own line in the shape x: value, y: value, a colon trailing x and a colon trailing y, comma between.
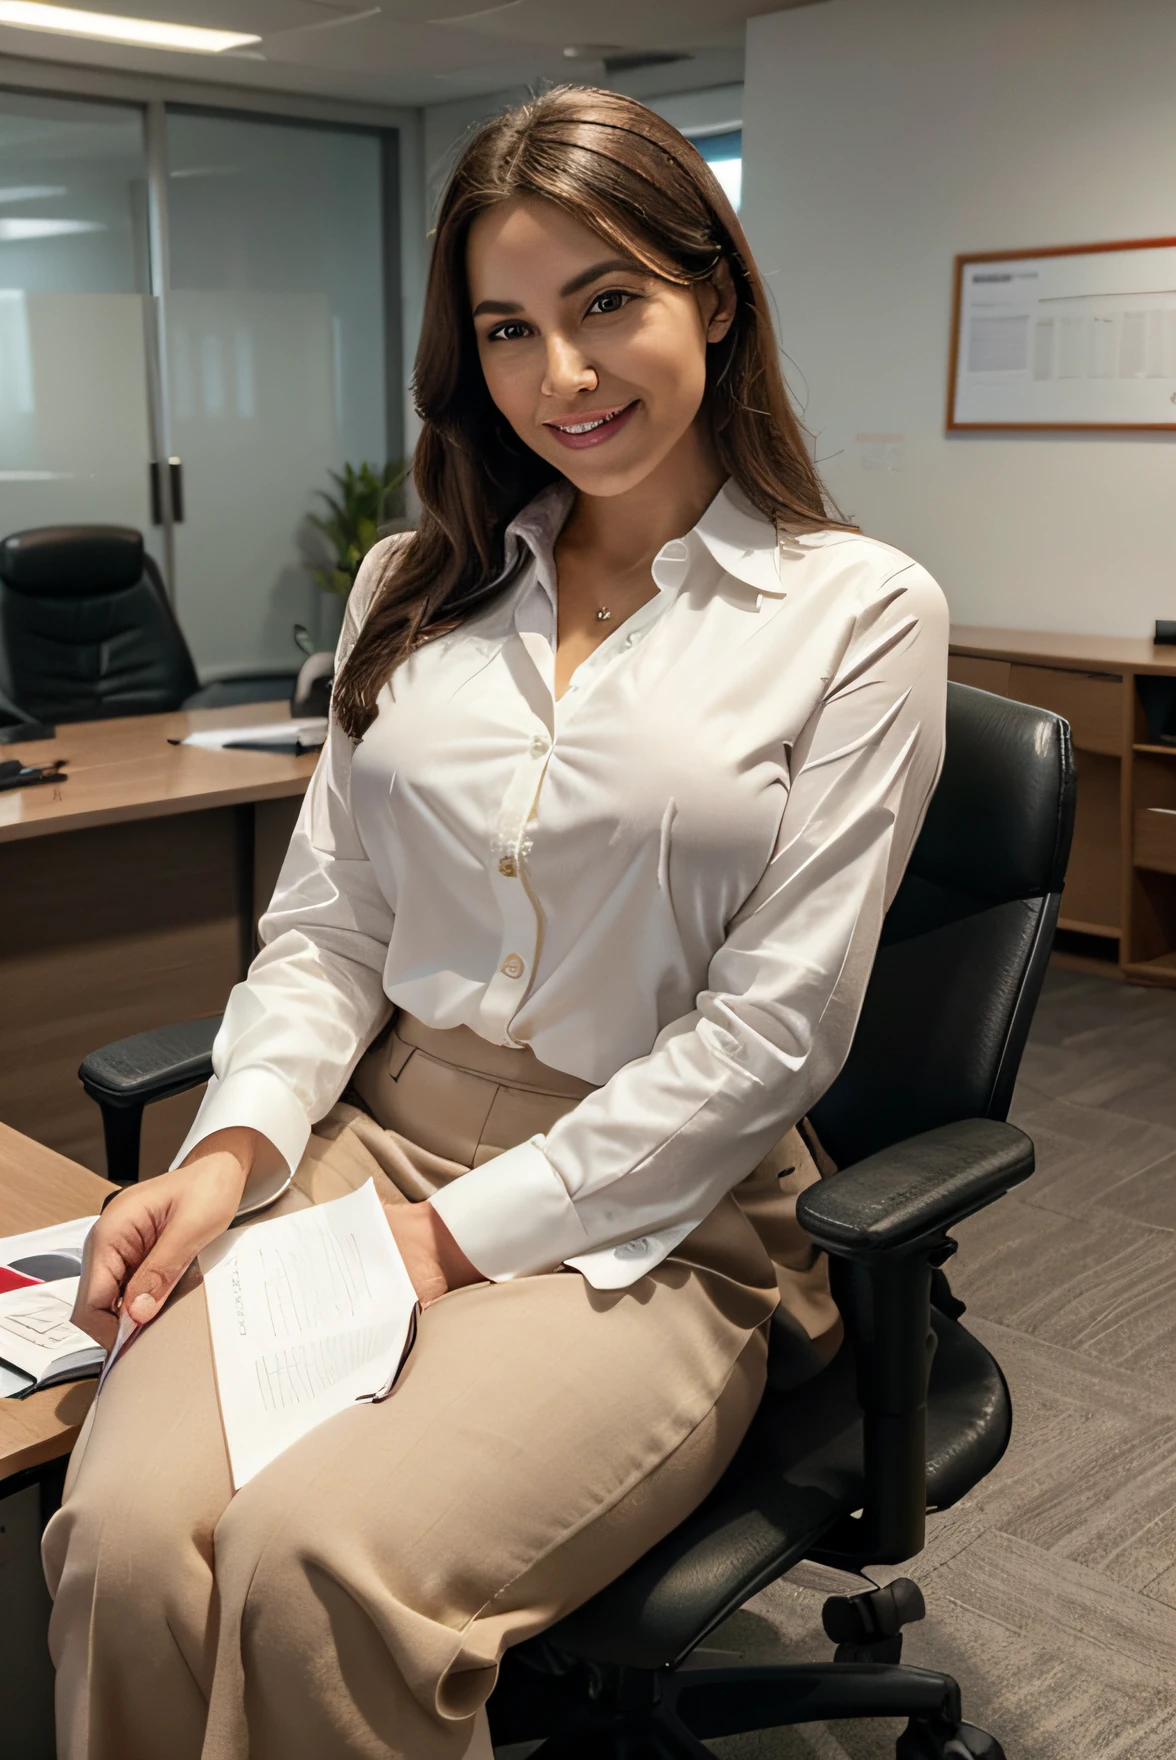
x: 291, y: 1036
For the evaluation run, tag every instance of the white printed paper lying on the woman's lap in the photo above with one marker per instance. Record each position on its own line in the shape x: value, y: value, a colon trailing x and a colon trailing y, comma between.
x: 309, y: 1314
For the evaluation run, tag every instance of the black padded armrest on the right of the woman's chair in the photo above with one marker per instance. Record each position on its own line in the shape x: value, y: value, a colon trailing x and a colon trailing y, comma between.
x: 895, y: 1201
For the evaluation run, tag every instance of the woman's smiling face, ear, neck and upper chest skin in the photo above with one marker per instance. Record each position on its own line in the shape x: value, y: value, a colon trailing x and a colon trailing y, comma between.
x: 603, y: 360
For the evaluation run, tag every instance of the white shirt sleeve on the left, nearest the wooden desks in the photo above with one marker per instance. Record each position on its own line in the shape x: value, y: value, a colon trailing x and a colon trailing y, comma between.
x: 314, y: 997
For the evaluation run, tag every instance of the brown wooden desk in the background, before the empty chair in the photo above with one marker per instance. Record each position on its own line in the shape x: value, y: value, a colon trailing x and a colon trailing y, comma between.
x: 129, y: 898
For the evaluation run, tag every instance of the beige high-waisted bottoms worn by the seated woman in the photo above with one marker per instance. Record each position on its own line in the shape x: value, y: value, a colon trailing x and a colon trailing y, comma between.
x: 355, y: 1599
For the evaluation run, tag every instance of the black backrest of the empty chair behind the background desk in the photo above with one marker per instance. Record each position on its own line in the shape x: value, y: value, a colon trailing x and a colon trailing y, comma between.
x: 85, y: 627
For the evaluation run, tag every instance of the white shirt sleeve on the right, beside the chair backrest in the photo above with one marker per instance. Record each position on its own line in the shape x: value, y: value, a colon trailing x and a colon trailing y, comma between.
x: 656, y: 1148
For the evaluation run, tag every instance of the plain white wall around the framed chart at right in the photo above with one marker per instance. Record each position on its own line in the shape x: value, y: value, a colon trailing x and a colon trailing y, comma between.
x: 885, y: 136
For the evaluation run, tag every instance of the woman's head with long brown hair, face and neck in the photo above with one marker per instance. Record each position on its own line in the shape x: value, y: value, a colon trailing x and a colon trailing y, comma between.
x: 578, y: 233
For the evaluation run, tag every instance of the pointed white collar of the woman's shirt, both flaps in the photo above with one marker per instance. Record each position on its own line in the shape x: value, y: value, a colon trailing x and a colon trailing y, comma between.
x: 742, y: 541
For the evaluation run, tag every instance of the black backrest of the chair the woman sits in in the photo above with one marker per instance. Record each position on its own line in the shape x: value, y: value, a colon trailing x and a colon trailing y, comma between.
x: 967, y: 941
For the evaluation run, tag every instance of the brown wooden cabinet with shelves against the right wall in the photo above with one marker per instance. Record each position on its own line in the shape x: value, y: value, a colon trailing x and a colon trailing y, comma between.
x: 1121, y: 888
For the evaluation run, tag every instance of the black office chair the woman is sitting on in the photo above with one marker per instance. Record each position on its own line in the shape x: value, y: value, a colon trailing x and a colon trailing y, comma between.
x: 913, y: 1412
